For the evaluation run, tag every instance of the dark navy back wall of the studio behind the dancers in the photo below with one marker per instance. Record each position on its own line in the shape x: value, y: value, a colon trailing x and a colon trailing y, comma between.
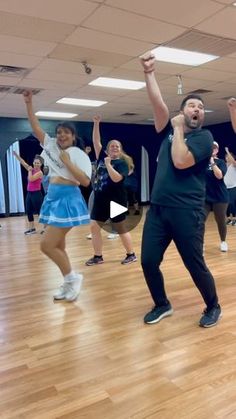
x: 132, y: 137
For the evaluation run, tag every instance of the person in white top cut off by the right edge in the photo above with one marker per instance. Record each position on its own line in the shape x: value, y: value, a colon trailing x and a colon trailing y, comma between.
x: 230, y: 181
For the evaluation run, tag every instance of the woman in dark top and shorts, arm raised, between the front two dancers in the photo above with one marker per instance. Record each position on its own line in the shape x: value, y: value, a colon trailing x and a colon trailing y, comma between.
x: 111, y: 169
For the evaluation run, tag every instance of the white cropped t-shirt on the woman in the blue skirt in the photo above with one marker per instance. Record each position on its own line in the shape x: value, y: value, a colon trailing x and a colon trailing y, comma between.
x: 51, y: 153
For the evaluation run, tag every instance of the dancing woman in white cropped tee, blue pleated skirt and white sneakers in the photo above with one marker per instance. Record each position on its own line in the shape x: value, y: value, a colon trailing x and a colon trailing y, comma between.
x: 63, y: 206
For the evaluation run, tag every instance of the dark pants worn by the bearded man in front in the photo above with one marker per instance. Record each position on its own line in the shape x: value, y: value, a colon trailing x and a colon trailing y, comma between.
x: 186, y: 228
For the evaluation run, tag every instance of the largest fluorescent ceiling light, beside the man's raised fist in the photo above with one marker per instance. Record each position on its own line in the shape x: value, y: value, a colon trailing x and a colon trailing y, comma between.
x: 181, y: 56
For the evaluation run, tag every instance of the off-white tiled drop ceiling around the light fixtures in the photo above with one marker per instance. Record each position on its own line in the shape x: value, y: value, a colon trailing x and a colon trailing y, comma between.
x: 51, y: 38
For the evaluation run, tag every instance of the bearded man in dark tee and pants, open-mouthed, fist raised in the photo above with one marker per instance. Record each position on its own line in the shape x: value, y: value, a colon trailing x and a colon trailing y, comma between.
x: 177, y: 201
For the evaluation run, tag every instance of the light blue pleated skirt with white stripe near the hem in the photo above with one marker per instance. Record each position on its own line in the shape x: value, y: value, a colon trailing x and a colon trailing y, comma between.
x: 64, y: 206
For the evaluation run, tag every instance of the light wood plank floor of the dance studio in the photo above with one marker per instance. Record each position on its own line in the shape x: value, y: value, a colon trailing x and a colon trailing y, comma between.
x: 95, y: 358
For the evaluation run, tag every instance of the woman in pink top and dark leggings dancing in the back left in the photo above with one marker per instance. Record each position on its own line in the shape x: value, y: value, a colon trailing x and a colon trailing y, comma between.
x: 34, y: 197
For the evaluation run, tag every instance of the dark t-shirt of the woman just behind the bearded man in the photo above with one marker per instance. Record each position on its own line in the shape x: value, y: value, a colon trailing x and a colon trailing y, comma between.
x: 216, y: 190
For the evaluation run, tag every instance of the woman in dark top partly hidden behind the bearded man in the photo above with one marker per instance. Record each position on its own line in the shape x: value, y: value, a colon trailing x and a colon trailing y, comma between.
x: 216, y: 194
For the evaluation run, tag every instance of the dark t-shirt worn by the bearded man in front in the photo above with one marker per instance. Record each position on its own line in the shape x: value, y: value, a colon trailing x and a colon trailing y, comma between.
x: 182, y: 188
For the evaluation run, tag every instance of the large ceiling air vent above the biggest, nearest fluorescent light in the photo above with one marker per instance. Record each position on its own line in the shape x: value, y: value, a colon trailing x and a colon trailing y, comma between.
x: 194, y: 40
